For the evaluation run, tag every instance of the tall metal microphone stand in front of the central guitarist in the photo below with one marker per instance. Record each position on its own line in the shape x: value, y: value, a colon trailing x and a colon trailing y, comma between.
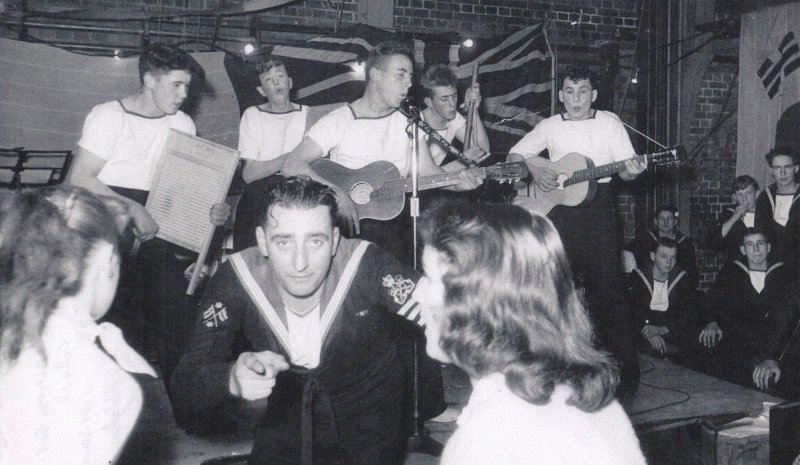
x: 419, y: 441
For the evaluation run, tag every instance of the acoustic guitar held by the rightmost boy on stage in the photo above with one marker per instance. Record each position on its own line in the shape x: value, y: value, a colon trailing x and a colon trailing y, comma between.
x: 576, y: 178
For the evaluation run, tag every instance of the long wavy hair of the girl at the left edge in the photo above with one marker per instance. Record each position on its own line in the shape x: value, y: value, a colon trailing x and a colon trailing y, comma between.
x: 45, y: 237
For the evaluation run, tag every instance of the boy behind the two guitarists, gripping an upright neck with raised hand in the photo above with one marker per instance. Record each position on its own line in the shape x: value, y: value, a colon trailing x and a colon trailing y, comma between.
x: 441, y: 113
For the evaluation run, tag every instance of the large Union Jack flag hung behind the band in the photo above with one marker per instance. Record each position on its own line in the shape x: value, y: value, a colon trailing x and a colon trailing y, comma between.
x: 514, y: 73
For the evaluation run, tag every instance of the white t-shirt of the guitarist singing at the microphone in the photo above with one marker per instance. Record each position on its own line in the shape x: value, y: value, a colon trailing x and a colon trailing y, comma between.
x: 355, y: 142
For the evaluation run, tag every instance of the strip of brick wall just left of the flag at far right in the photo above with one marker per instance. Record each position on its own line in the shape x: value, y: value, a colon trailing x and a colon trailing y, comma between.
x: 714, y: 166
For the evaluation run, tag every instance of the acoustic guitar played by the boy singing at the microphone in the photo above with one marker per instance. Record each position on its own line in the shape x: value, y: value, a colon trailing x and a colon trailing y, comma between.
x: 379, y: 191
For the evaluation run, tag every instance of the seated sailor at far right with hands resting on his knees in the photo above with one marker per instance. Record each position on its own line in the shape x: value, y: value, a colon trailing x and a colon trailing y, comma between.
x: 751, y: 310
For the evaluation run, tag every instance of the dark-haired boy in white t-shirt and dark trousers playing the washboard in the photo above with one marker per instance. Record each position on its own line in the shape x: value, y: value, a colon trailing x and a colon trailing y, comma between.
x: 119, y: 151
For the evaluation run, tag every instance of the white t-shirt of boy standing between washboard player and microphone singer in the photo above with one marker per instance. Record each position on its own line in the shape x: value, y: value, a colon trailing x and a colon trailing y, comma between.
x: 264, y: 135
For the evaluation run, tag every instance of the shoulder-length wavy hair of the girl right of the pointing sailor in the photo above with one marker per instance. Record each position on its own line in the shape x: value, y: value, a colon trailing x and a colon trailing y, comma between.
x: 511, y: 304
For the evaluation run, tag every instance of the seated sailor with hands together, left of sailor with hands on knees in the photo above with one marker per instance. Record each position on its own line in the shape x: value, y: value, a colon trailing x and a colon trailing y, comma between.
x: 664, y: 303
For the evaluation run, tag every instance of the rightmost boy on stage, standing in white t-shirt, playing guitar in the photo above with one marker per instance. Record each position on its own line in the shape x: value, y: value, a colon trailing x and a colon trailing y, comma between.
x: 589, y: 232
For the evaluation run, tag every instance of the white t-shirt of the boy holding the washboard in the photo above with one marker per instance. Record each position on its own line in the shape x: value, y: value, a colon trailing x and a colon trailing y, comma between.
x: 131, y: 144
